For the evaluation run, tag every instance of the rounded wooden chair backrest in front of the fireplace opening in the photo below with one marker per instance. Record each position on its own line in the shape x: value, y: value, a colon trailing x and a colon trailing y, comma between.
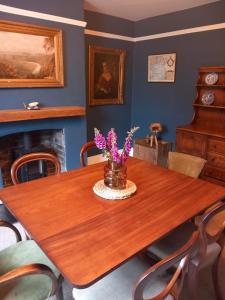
x: 27, y: 158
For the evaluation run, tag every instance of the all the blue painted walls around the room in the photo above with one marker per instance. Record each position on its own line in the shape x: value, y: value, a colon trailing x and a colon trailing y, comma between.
x: 168, y: 103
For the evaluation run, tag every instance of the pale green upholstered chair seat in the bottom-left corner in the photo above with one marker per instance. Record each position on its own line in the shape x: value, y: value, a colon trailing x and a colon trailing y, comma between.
x: 32, y: 287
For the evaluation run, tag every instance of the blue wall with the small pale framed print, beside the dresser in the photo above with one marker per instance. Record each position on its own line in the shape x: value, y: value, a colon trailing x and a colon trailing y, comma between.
x: 171, y: 103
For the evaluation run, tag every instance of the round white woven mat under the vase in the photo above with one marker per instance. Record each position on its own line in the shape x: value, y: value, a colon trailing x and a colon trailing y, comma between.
x: 105, y: 192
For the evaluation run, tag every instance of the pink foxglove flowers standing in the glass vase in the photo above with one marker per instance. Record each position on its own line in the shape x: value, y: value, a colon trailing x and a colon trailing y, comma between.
x: 109, y: 145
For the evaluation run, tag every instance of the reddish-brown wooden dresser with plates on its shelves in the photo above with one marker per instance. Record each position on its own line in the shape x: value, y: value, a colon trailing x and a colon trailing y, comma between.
x: 205, y: 136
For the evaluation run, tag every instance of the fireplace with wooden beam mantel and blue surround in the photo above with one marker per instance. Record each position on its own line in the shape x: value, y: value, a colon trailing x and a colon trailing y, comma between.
x: 68, y: 124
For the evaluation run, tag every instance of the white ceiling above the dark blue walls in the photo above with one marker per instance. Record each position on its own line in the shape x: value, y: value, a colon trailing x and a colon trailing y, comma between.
x: 135, y: 10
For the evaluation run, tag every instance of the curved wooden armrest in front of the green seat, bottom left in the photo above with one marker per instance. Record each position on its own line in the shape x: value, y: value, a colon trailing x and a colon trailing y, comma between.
x: 32, y: 269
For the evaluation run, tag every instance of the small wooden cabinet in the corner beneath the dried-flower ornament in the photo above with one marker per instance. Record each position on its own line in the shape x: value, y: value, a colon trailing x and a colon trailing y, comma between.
x: 158, y: 155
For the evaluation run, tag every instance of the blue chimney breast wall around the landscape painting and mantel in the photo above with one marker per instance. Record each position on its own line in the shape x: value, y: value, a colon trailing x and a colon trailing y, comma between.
x: 74, y: 70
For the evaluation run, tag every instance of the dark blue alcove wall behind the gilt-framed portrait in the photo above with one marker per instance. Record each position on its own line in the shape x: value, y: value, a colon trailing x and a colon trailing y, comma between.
x: 105, y: 117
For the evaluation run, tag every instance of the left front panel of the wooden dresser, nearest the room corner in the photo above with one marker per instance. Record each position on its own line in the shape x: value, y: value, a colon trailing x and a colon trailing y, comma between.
x: 190, y: 143
